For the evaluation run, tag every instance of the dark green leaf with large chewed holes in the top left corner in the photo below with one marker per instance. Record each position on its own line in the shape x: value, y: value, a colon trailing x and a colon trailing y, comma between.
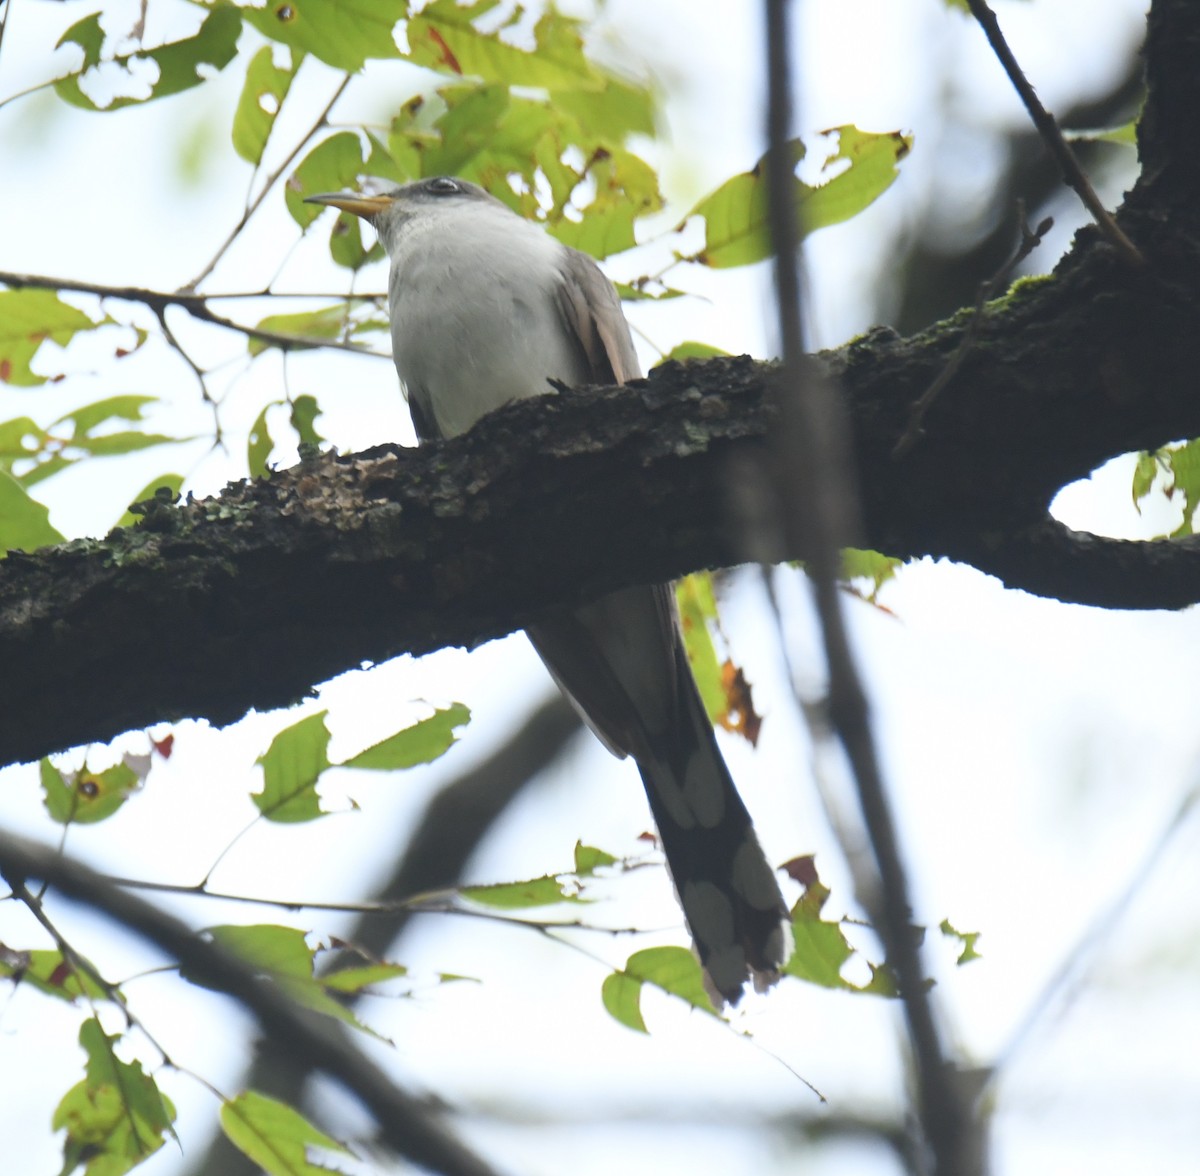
x: 178, y: 63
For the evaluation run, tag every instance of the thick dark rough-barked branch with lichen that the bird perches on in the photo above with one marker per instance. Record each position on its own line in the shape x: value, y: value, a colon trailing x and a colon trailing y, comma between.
x: 211, y: 608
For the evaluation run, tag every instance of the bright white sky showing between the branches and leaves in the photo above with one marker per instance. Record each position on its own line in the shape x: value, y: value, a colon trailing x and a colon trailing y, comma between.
x: 1035, y: 751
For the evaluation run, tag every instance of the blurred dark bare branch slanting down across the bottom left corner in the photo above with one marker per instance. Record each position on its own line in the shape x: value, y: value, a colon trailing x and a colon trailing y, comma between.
x: 307, y: 1039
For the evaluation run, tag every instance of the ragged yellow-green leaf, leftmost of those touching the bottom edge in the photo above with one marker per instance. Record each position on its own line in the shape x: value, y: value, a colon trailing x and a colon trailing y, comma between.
x: 117, y: 1117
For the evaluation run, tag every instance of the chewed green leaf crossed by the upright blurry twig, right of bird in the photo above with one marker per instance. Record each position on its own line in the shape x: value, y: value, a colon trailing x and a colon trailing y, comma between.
x: 737, y: 225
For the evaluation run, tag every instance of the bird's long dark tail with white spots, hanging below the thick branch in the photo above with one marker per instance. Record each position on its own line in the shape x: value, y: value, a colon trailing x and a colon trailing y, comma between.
x: 622, y: 662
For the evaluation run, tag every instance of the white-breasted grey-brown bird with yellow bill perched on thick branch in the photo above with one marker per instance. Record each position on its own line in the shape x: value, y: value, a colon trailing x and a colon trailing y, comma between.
x: 487, y: 308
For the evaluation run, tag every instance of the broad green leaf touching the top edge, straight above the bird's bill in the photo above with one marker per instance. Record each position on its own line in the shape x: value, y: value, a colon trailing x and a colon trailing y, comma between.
x: 343, y: 33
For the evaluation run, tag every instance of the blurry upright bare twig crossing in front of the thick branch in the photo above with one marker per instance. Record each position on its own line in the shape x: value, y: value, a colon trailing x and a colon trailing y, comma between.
x: 813, y: 459
